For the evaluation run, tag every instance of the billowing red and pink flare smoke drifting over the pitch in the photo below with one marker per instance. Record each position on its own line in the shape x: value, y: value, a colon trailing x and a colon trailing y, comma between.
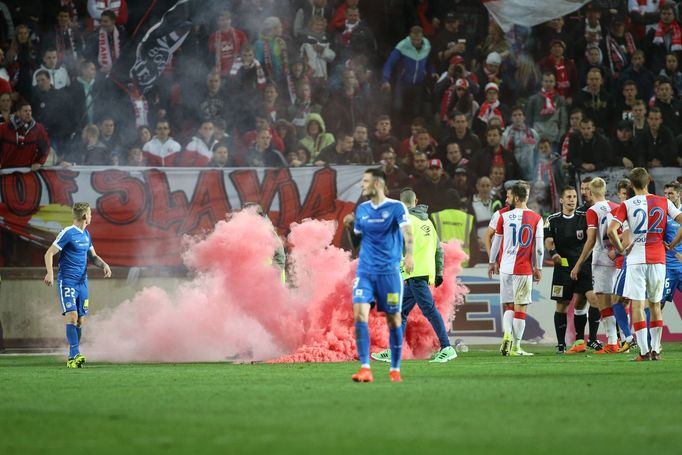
x: 235, y: 307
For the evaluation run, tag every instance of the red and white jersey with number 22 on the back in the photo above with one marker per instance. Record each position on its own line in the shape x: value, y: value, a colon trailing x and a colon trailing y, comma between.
x: 647, y: 216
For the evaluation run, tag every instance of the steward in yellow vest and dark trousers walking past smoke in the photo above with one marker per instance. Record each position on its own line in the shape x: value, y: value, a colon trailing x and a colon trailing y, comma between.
x: 428, y: 269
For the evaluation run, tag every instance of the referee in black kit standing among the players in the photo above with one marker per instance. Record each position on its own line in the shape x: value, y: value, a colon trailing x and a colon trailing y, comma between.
x: 565, y: 235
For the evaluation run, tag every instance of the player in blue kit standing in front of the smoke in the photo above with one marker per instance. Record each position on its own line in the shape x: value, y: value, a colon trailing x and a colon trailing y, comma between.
x: 380, y: 226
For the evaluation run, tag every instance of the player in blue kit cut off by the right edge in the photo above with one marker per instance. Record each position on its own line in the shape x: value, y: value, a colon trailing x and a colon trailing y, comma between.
x: 673, y: 265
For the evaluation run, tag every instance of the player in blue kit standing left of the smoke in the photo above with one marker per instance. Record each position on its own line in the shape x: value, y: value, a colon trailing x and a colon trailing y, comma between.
x: 74, y: 244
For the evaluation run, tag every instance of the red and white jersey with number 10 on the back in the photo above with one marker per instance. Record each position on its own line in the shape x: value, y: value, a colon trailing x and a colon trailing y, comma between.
x: 522, y: 232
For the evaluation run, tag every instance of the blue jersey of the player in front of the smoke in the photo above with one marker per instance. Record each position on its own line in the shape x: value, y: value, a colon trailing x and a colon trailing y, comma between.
x: 382, y: 240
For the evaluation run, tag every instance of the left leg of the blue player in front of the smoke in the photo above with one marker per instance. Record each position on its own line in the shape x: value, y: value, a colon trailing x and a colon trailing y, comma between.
x: 362, y: 296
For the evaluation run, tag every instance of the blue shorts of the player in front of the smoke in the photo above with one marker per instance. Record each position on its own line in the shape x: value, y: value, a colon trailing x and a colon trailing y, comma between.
x: 386, y: 290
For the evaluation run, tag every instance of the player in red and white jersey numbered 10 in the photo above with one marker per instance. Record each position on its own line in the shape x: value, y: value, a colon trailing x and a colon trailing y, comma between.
x: 519, y: 234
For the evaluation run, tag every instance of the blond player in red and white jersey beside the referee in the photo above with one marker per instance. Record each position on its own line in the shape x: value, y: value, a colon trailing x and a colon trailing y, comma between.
x: 603, y: 267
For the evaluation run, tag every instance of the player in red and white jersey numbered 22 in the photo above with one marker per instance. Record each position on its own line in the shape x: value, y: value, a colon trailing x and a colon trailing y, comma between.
x: 646, y: 215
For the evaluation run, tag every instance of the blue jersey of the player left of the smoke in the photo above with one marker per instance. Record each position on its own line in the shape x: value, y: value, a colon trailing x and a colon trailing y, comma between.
x: 74, y: 245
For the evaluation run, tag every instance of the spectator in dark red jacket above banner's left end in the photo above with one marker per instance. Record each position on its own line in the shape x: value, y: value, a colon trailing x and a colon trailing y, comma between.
x: 23, y: 141
